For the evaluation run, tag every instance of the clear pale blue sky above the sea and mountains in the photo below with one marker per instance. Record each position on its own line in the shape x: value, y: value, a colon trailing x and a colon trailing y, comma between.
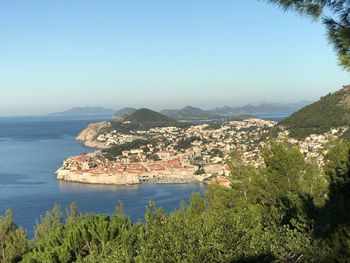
x: 55, y: 55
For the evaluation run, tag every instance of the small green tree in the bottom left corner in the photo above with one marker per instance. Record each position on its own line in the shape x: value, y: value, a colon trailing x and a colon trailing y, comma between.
x: 13, y: 240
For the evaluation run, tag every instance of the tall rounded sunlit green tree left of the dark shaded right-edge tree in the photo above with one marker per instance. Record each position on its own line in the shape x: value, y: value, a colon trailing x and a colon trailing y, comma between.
x: 291, y: 182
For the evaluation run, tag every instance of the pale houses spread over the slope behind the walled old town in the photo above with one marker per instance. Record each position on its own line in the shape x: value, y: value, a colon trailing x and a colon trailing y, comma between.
x: 204, y: 145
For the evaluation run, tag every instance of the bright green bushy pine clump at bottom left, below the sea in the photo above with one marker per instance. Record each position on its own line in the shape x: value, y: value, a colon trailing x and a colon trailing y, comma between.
x: 88, y: 237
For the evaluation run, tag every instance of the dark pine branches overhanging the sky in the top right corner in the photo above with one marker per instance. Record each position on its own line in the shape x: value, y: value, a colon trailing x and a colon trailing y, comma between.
x: 338, y: 25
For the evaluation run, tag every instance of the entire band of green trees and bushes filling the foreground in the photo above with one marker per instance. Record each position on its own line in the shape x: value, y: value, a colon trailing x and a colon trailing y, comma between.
x: 287, y: 211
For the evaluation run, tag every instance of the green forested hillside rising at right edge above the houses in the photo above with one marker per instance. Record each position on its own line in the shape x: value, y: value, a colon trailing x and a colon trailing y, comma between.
x: 331, y: 111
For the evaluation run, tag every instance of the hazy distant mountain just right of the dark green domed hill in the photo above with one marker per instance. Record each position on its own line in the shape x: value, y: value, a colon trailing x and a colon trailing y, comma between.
x: 190, y: 113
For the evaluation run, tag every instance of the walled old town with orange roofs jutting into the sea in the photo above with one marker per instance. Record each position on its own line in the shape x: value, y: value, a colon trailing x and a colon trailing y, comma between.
x: 78, y: 168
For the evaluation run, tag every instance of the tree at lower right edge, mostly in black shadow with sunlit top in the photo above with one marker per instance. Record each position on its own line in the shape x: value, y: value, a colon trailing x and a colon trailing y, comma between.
x: 332, y: 224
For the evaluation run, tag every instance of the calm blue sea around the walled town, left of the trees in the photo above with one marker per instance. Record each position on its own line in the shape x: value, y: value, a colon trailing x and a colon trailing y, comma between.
x: 33, y: 148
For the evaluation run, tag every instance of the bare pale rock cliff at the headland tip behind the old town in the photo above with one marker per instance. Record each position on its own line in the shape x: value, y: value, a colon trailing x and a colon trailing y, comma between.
x: 89, y: 134
